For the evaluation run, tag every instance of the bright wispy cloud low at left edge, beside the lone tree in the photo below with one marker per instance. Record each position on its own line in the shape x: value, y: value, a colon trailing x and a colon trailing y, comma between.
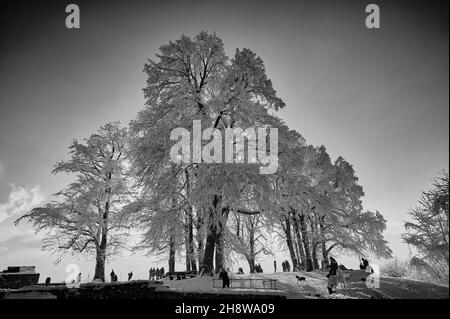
x: 20, y: 201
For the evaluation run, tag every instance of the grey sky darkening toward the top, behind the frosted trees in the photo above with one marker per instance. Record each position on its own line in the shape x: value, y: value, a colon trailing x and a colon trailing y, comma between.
x: 379, y: 98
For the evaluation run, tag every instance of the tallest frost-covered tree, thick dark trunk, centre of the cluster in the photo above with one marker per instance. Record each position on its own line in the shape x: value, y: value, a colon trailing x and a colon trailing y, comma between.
x: 193, y: 79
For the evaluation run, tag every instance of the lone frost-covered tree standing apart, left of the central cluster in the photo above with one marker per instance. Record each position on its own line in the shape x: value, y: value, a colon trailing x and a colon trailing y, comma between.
x: 86, y: 216
